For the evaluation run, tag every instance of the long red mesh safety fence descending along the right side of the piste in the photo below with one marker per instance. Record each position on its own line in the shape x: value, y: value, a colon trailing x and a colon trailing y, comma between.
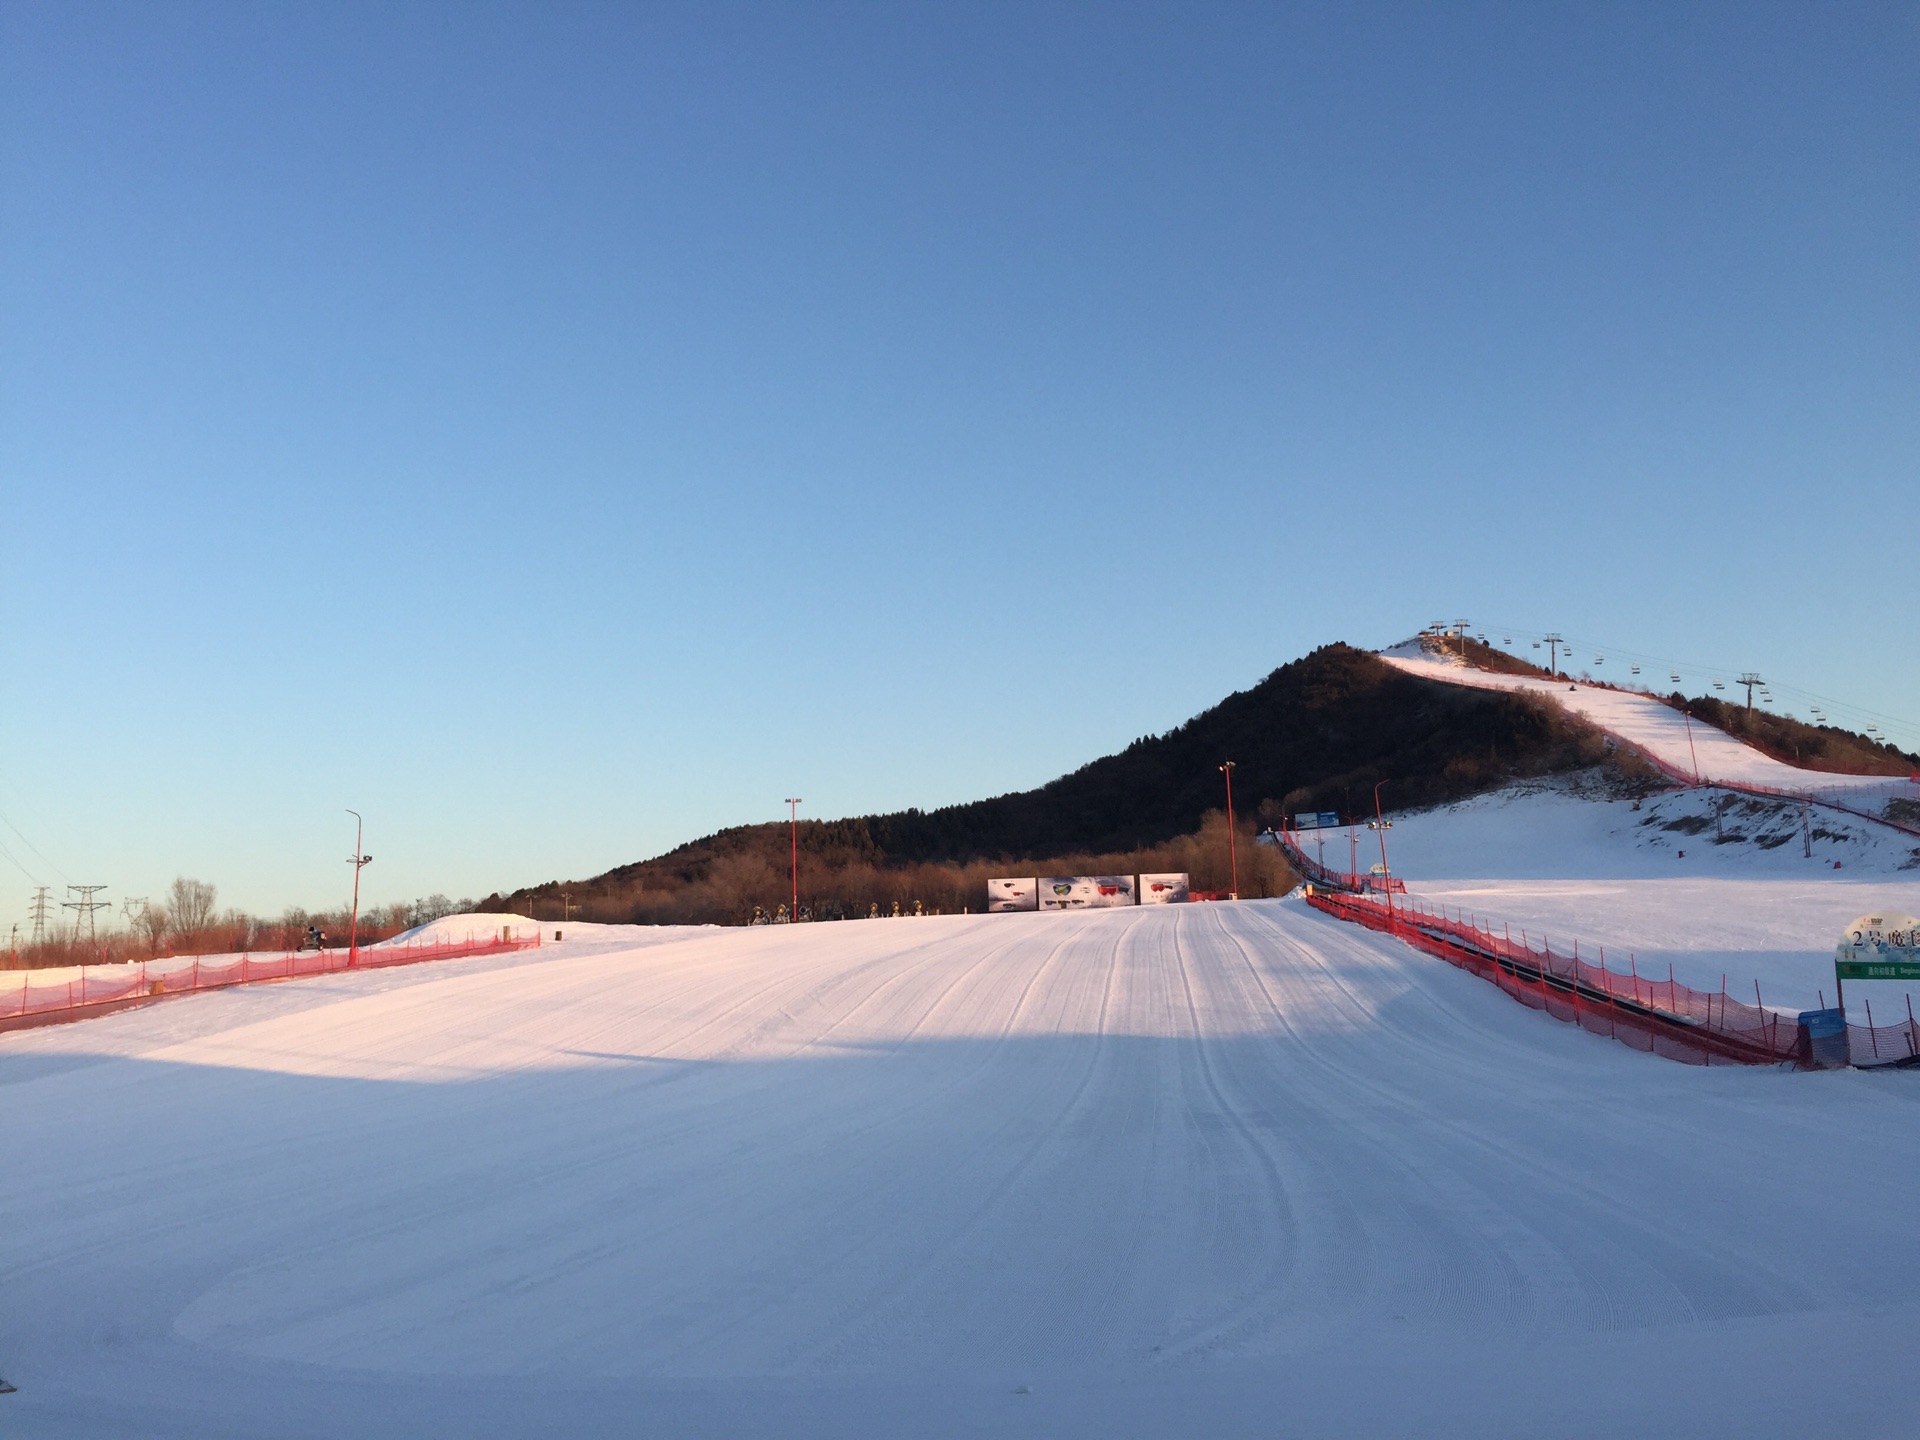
x: 1660, y: 1017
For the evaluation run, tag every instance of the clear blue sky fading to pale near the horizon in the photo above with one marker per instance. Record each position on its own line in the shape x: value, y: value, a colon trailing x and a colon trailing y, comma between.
x: 562, y: 431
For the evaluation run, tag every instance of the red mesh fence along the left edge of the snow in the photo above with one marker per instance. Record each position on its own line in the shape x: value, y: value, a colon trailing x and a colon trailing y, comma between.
x: 101, y: 990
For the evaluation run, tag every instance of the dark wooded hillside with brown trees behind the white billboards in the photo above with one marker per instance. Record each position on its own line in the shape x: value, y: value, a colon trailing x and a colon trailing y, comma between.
x: 1312, y: 736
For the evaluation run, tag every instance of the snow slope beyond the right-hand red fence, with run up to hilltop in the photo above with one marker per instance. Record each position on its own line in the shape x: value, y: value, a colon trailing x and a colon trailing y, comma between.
x: 1714, y: 884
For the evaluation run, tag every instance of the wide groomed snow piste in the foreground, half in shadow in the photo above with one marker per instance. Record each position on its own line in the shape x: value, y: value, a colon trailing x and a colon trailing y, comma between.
x: 1216, y: 1170
